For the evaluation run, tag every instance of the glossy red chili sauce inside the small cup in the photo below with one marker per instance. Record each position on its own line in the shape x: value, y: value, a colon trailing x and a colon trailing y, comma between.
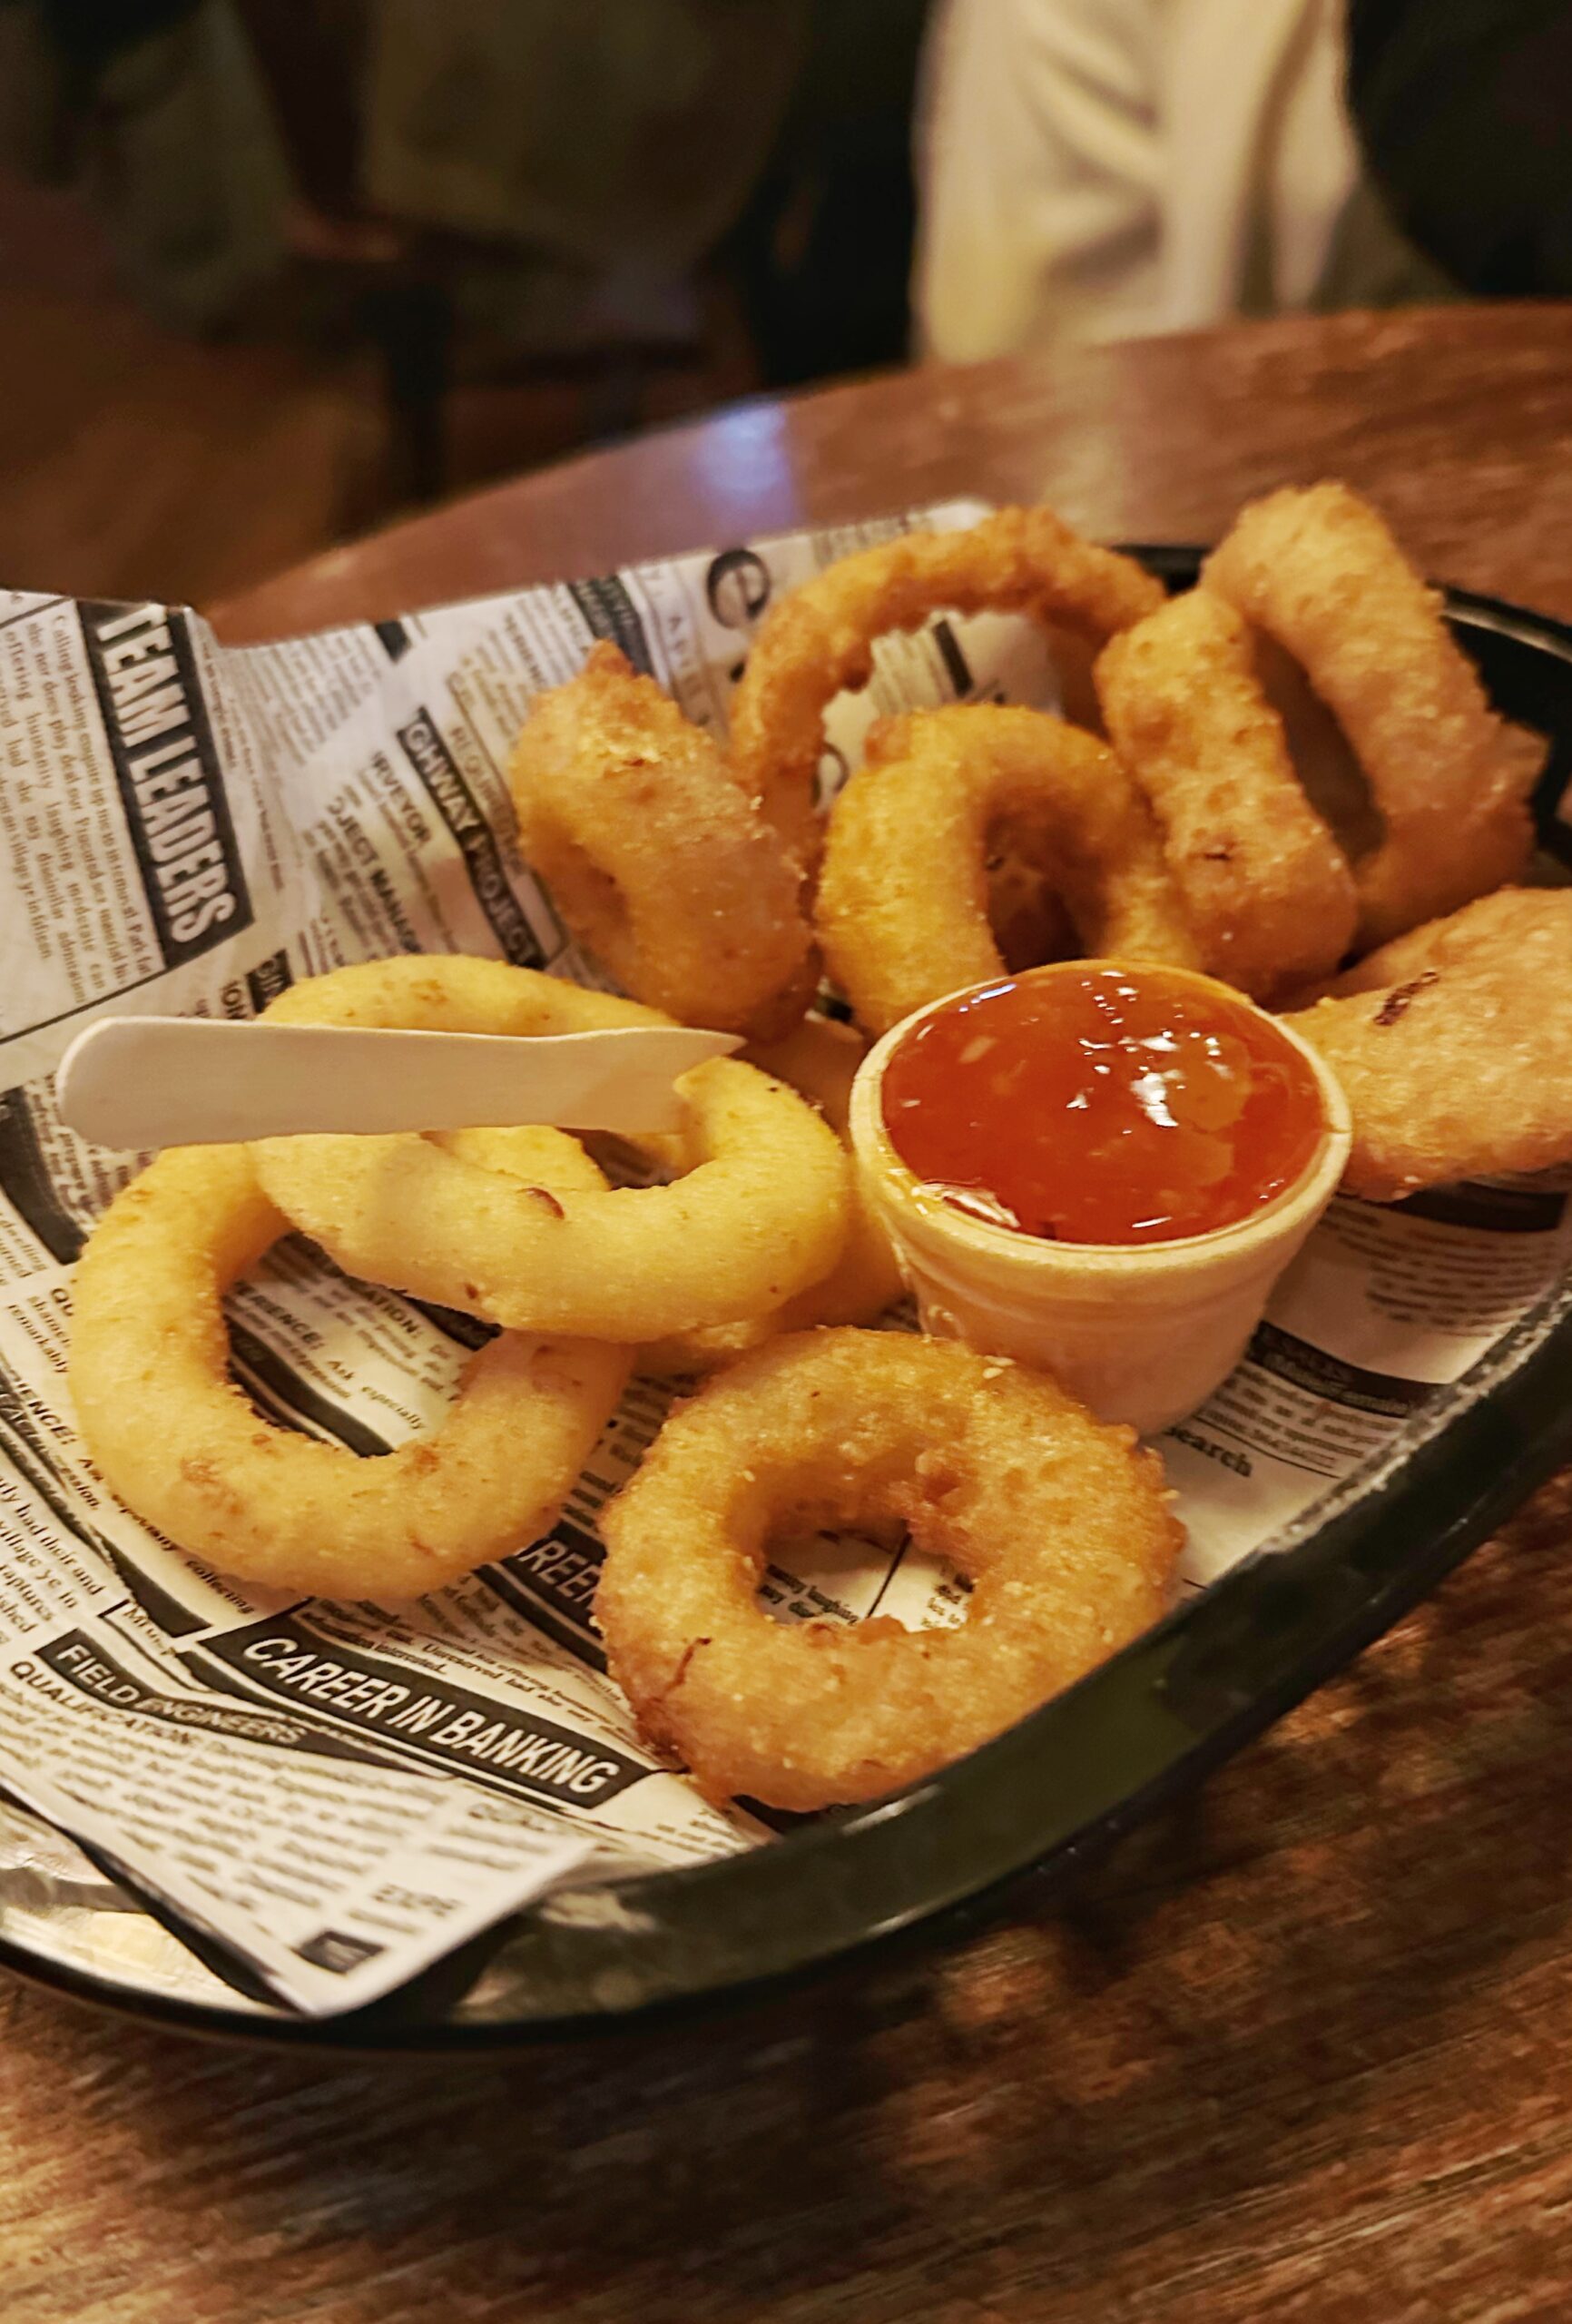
x: 1102, y: 1105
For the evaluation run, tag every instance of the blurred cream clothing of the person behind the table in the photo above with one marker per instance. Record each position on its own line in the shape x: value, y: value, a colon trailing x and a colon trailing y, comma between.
x: 1104, y: 168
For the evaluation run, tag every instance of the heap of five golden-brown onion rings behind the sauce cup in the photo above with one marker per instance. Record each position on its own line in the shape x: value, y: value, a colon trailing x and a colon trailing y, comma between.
x: 693, y: 873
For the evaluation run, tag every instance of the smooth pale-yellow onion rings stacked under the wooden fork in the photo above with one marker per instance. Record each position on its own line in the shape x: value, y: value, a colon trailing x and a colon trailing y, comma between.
x: 517, y: 1226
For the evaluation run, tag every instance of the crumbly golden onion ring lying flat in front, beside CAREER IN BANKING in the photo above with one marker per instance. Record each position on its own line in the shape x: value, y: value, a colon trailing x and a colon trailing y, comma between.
x: 1060, y: 1523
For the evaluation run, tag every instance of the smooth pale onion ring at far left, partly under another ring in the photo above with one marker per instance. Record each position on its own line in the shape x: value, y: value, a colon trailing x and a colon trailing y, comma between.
x: 189, y: 1454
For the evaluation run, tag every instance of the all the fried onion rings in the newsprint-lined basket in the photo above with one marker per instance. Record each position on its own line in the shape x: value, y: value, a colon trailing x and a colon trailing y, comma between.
x: 705, y: 882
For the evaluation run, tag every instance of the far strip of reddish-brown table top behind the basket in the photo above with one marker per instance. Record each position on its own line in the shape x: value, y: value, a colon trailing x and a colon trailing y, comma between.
x: 1459, y: 419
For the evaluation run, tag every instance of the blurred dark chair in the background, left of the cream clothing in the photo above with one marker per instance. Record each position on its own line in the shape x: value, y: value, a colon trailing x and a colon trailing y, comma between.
x: 554, y: 168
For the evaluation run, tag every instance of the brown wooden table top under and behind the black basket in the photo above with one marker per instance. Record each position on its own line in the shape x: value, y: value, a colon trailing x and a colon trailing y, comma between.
x: 1297, y: 2051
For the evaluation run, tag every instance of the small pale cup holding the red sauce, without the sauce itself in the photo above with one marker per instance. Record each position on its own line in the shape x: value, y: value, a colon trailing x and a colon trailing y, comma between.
x: 1141, y: 1333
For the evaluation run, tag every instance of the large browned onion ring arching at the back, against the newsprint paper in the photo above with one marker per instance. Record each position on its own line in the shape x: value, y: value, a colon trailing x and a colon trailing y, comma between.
x: 821, y: 638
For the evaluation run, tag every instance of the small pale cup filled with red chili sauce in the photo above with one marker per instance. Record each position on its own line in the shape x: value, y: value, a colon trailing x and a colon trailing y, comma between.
x: 1146, y: 1324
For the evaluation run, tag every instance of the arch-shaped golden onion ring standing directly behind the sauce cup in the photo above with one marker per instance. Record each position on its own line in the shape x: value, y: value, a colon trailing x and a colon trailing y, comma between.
x: 902, y: 905
